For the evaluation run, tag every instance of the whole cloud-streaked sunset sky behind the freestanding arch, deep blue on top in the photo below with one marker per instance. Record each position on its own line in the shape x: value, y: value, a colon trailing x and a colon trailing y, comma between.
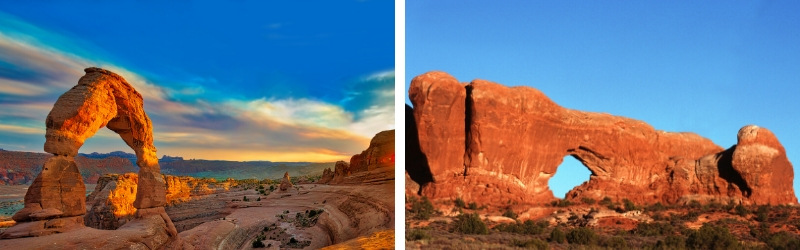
x: 240, y: 80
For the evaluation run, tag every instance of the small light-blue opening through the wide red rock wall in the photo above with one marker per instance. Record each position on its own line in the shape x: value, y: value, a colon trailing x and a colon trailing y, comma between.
x: 569, y: 174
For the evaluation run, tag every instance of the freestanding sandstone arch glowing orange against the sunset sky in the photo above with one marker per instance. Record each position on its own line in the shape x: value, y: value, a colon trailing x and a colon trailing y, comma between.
x: 55, y: 202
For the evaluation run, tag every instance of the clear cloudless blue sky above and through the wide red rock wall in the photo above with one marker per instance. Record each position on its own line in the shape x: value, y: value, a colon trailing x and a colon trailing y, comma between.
x: 708, y: 67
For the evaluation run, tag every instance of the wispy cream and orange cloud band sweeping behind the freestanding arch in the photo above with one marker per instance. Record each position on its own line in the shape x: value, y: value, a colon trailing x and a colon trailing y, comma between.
x: 33, y: 75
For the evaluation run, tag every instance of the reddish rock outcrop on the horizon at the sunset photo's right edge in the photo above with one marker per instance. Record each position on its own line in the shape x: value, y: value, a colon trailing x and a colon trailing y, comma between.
x: 373, y: 165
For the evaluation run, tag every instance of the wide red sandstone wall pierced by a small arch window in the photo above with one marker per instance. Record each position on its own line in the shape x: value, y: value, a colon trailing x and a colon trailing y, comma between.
x: 493, y: 144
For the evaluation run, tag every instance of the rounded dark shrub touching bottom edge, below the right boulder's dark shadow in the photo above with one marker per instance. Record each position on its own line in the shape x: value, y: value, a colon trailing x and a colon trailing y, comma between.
x: 712, y: 237
